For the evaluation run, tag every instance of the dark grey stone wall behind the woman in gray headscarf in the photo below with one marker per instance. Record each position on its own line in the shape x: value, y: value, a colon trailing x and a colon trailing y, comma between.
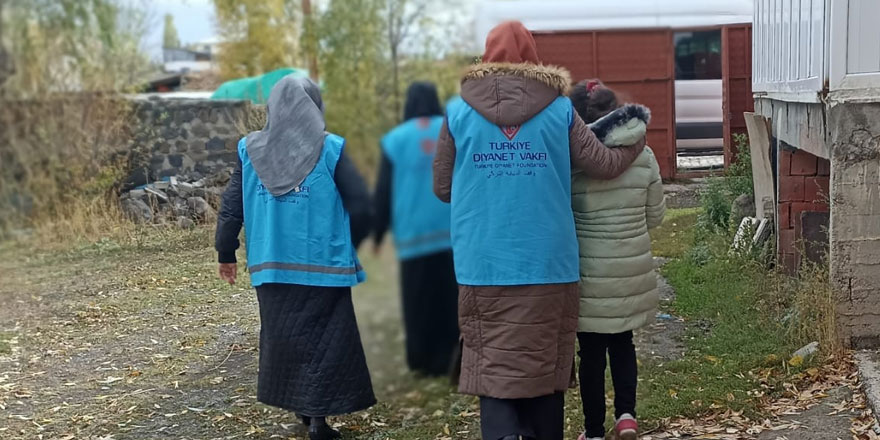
x: 188, y: 138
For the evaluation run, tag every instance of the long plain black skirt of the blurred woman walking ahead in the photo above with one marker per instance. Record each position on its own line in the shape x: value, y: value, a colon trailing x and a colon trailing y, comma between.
x: 430, y: 312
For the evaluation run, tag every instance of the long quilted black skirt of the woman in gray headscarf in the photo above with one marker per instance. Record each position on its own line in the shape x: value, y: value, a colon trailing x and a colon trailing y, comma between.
x: 311, y: 358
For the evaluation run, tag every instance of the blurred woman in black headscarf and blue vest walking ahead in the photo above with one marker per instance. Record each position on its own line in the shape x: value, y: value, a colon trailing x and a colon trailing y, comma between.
x: 404, y: 200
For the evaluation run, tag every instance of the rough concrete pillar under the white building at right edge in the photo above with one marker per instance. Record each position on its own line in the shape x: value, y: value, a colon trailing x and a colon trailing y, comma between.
x: 855, y: 220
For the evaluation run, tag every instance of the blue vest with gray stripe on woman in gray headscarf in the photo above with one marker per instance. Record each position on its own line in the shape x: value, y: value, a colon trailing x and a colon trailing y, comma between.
x: 304, y: 236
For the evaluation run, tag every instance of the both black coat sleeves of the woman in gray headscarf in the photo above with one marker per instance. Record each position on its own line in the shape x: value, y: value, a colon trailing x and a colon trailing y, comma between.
x: 352, y: 189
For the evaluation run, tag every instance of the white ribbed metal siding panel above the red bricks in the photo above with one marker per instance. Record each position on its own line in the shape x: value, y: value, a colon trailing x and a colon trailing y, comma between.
x: 788, y: 47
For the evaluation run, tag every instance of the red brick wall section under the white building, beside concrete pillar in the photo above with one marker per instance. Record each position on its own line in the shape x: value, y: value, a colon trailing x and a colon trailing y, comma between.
x: 803, y: 187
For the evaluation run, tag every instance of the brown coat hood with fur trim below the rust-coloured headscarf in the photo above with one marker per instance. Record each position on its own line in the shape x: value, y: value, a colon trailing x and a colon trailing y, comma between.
x: 511, y: 94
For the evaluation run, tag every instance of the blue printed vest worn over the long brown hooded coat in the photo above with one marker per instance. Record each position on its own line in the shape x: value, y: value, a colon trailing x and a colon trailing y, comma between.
x: 511, y: 198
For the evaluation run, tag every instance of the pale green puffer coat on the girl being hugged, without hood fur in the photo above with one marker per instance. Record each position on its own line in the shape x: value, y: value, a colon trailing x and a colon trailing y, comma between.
x: 612, y: 217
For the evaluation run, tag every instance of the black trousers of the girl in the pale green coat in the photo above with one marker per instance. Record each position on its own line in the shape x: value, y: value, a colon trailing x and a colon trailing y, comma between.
x: 624, y: 373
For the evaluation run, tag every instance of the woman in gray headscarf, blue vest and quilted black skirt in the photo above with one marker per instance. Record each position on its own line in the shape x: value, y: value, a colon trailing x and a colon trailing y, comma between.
x: 305, y: 209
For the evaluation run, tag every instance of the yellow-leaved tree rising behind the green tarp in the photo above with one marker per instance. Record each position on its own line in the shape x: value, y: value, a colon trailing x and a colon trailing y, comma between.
x: 259, y: 36
